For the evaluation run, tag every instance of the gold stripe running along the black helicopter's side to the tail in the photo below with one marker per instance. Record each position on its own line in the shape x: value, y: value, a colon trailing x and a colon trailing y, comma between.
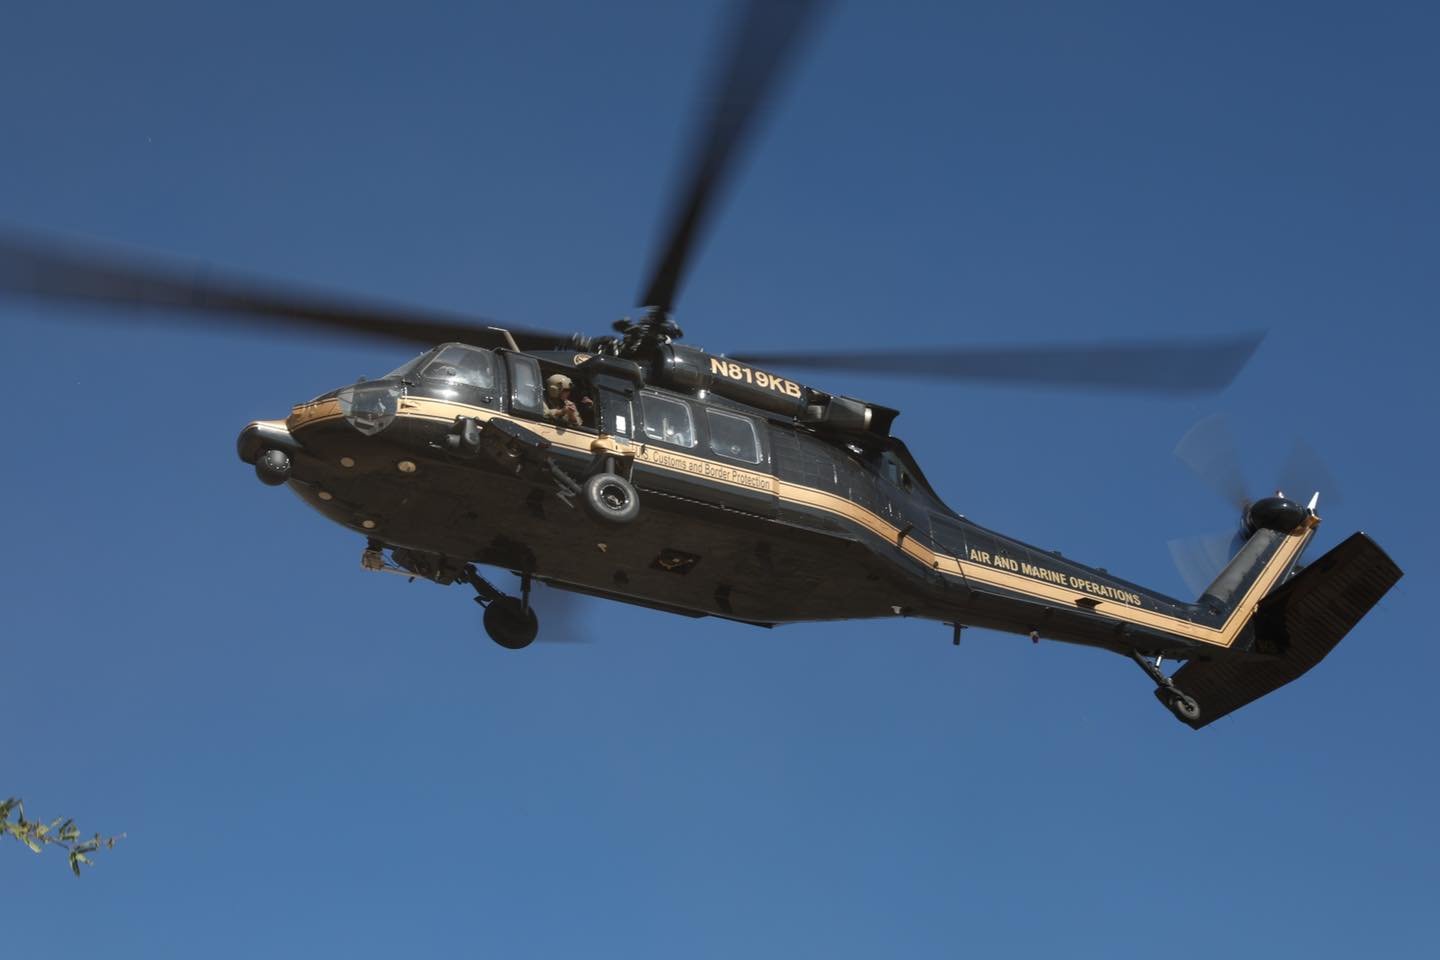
x: 758, y: 481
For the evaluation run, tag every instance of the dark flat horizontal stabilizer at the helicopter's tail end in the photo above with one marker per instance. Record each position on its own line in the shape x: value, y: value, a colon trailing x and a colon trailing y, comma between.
x: 1300, y: 624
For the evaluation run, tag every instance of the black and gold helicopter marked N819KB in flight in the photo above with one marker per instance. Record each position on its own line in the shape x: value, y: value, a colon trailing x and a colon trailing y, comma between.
x: 636, y: 468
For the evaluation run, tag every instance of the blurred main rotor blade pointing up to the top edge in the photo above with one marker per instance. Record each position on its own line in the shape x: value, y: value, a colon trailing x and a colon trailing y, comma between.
x: 764, y: 41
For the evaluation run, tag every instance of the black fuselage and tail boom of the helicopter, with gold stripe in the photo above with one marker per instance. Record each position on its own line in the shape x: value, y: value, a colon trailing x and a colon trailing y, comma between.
x: 744, y: 515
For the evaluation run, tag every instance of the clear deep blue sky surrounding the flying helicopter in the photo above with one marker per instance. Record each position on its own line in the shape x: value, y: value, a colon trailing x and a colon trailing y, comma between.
x: 309, y: 759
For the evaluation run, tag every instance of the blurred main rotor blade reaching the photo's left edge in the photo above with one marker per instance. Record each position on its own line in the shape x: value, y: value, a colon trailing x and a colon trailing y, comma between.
x: 66, y: 273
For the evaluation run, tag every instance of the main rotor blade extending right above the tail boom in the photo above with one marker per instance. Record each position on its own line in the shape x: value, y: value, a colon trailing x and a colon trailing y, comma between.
x: 1146, y: 366
